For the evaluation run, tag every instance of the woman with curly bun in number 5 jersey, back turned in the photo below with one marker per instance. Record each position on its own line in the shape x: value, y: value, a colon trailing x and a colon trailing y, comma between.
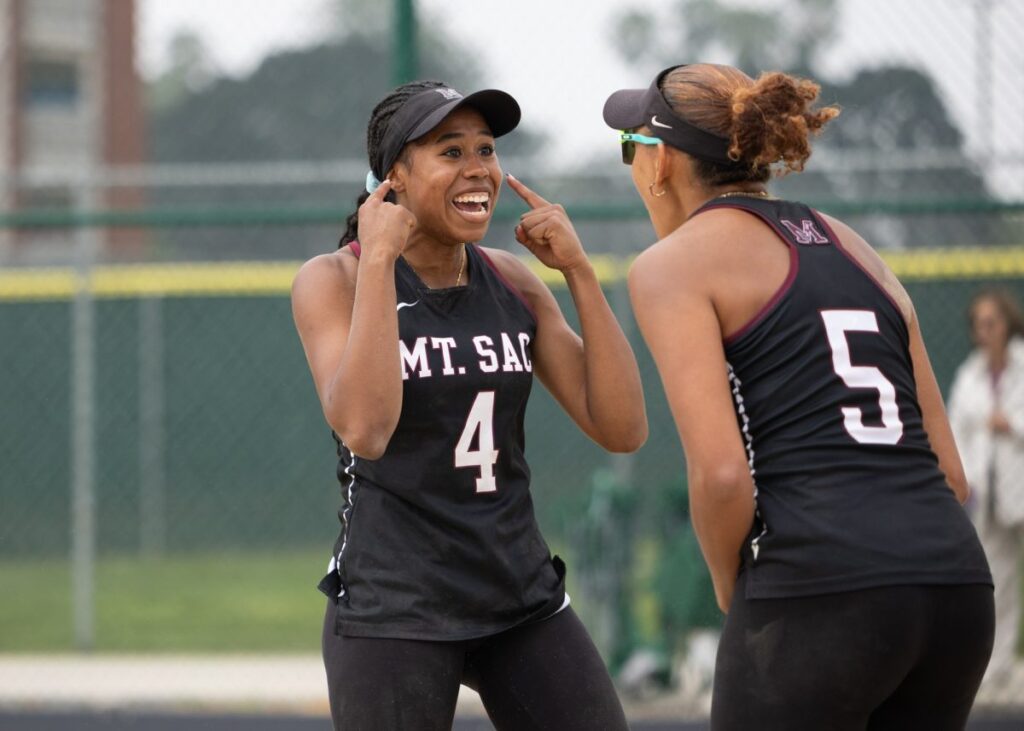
x: 825, y: 484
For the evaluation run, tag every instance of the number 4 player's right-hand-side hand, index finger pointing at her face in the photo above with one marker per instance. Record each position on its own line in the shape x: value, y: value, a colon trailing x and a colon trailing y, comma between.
x: 547, y: 232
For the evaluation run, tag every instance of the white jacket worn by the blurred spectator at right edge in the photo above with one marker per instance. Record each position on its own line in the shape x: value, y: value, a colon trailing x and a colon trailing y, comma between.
x: 971, y: 404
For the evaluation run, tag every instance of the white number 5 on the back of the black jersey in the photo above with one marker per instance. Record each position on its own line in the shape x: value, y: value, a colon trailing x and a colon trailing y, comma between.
x: 838, y: 324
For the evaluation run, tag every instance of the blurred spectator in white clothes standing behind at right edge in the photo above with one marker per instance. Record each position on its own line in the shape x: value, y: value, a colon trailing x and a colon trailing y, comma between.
x: 987, y: 411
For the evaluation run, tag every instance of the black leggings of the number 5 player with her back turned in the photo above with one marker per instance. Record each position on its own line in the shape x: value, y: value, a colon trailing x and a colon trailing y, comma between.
x: 891, y: 658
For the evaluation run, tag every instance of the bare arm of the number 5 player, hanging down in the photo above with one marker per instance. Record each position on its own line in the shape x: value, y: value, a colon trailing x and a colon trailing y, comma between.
x: 682, y: 331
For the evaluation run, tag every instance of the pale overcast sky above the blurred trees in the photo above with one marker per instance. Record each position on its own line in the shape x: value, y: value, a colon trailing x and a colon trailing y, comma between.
x: 558, y: 59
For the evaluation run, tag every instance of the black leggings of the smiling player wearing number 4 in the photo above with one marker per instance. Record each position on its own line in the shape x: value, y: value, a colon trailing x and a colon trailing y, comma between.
x: 547, y: 675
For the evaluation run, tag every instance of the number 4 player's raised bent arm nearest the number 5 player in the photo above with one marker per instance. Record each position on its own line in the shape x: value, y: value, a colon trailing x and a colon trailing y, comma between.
x: 594, y: 378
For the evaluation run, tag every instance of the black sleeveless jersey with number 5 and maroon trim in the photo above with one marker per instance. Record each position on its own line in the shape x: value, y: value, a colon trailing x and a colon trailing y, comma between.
x: 849, y: 492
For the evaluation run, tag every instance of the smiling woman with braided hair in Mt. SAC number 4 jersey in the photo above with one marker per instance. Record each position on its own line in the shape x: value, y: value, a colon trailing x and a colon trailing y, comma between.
x: 422, y: 348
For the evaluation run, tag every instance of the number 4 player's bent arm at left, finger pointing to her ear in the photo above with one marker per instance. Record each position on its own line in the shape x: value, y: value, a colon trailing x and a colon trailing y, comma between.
x: 350, y: 329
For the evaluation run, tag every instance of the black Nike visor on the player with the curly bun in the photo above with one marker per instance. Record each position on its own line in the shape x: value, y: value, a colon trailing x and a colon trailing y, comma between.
x: 629, y: 109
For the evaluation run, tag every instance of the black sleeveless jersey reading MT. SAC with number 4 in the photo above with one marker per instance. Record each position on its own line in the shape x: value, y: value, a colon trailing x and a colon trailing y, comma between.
x: 439, y: 538
